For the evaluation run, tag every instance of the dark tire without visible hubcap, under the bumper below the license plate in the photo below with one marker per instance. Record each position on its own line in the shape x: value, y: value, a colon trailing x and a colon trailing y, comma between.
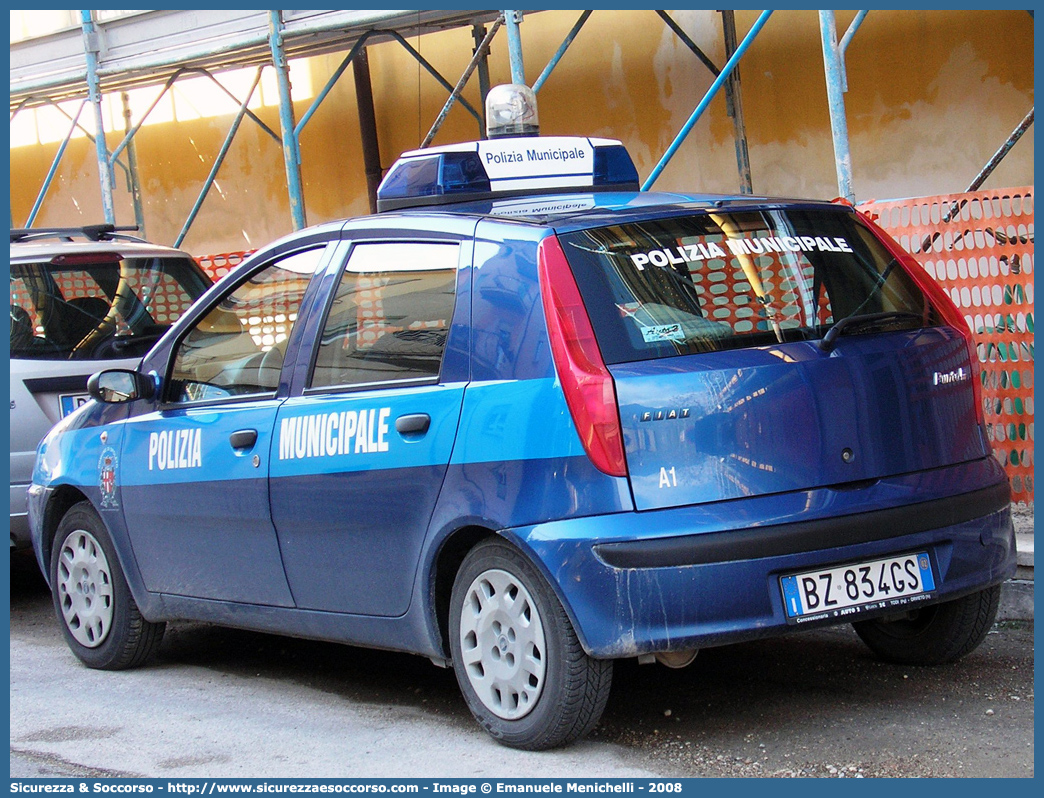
x: 933, y: 636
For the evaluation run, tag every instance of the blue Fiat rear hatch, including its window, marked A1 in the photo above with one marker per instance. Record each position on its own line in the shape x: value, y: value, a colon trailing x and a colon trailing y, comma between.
x: 765, y: 351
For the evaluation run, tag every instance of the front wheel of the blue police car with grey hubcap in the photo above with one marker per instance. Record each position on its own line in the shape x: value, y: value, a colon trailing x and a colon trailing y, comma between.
x: 99, y: 617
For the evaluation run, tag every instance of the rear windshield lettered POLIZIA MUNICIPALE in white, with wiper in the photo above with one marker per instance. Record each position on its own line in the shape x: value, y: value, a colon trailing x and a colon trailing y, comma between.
x: 720, y: 281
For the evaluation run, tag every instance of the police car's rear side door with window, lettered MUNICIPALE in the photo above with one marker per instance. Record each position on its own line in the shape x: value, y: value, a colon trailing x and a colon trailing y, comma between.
x: 361, y: 451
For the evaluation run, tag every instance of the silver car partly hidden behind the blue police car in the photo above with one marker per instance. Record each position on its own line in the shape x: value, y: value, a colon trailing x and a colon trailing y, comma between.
x: 82, y: 300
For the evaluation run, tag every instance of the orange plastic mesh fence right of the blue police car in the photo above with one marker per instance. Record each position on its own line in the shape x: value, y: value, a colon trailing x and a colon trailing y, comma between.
x: 980, y: 247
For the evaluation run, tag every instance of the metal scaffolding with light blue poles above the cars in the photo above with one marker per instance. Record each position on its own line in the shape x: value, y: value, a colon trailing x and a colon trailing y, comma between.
x: 158, y: 49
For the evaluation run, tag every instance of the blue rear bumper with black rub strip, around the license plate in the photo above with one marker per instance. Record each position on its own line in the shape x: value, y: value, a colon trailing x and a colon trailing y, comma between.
x: 687, y: 578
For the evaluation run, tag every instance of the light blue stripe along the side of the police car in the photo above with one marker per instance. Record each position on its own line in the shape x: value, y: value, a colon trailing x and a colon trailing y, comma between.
x: 500, y: 423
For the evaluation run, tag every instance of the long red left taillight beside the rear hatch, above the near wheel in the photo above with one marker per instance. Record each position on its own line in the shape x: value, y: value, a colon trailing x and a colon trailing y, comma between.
x: 586, y: 382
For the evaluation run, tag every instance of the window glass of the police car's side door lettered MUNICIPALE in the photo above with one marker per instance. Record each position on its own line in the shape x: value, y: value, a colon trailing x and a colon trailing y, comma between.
x: 391, y: 316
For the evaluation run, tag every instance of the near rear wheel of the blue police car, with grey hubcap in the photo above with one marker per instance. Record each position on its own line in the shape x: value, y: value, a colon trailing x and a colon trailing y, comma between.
x: 520, y: 666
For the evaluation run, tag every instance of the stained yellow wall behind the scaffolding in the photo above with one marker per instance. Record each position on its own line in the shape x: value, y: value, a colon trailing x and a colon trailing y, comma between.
x: 933, y: 96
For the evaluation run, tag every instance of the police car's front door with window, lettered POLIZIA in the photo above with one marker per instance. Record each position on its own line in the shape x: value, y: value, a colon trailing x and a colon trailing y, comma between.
x: 196, y: 471
